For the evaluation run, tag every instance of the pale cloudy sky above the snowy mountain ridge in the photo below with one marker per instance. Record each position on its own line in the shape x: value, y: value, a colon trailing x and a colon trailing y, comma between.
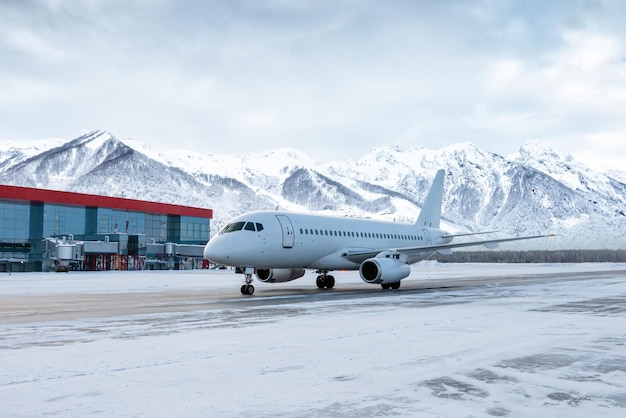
x: 332, y: 78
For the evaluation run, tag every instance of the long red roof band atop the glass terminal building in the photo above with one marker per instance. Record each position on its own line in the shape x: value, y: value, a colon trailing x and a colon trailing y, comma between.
x: 82, y: 199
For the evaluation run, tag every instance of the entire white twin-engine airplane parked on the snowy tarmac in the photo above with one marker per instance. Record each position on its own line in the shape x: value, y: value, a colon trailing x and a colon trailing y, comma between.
x: 279, y: 246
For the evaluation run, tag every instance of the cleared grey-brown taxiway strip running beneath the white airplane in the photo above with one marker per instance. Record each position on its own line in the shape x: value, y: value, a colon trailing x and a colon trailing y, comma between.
x: 76, y: 306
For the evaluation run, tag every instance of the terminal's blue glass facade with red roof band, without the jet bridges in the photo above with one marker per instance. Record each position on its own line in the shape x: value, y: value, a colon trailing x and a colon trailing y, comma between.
x: 27, y: 219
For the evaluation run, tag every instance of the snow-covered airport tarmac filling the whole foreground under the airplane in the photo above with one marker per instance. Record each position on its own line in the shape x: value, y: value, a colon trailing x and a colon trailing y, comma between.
x: 456, y: 340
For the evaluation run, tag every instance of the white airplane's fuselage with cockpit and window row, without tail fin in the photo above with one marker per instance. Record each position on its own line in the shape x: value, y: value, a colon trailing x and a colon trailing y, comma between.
x: 295, y: 240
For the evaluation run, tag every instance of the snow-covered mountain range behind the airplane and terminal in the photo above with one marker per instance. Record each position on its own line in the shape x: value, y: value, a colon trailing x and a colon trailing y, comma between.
x: 533, y: 191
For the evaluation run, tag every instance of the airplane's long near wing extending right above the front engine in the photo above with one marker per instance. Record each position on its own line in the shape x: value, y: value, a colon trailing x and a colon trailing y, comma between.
x: 358, y: 256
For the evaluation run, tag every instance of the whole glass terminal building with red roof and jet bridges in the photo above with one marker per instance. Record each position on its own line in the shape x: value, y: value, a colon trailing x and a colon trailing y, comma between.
x: 48, y: 230
